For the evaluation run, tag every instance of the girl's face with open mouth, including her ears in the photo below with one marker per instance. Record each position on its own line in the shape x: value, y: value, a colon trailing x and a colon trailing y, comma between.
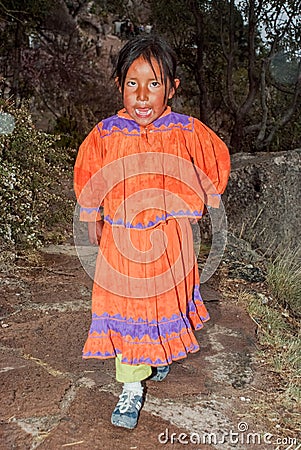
x: 144, y: 92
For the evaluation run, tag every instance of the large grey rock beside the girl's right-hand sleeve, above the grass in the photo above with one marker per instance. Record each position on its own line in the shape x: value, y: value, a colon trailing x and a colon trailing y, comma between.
x: 262, y: 199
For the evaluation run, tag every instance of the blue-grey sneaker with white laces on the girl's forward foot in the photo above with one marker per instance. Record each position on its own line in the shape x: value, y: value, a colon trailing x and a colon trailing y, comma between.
x: 126, y: 412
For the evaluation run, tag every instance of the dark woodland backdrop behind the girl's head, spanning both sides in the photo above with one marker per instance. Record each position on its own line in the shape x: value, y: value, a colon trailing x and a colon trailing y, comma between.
x: 239, y: 63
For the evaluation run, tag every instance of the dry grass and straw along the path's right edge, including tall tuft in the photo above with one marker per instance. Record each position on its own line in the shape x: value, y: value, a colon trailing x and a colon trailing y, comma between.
x: 274, y: 306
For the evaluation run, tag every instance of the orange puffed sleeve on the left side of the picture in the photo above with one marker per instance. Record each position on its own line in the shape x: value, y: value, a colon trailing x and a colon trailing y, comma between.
x: 87, y: 176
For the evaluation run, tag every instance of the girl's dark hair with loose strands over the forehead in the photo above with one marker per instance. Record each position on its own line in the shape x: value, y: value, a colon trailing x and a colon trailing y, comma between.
x: 148, y: 47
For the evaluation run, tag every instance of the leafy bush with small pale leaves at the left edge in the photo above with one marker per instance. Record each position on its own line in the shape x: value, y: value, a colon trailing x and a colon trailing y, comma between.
x: 33, y: 171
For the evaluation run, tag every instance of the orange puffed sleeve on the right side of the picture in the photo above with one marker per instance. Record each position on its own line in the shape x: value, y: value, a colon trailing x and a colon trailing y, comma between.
x: 211, y: 155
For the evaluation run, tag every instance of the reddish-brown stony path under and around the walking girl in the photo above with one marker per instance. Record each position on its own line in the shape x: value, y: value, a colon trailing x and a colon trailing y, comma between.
x: 52, y: 399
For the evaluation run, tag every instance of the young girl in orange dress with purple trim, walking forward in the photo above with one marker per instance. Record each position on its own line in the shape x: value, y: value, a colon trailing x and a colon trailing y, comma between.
x: 151, y: 170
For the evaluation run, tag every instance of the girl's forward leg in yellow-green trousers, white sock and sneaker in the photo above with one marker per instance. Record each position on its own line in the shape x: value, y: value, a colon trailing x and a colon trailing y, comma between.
x: 127, y: 410
